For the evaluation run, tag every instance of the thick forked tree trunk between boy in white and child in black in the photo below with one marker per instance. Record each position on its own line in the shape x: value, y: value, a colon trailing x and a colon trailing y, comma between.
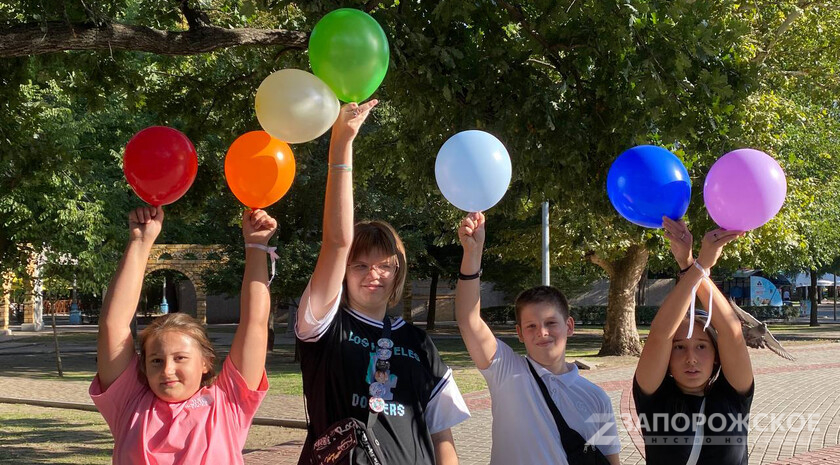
x: 620, y: 334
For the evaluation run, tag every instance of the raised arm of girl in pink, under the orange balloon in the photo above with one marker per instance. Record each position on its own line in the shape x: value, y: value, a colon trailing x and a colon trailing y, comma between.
x: 247, y: 353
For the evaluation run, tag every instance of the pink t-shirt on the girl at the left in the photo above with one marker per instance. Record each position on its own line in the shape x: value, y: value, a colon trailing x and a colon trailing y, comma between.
x: 208, y: 428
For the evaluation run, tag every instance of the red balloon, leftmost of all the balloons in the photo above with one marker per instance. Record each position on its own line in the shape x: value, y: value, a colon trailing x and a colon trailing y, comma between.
x: 160, y: 163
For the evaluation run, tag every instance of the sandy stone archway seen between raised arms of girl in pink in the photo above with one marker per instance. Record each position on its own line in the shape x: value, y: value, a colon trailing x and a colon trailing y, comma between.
x: 191, y: 260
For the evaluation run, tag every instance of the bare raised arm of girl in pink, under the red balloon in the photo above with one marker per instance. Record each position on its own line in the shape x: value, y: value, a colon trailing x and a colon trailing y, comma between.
x: 115, y: 347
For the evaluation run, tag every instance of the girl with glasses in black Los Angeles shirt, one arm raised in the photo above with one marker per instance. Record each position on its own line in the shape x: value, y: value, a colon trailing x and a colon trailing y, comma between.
x: 357, y: 361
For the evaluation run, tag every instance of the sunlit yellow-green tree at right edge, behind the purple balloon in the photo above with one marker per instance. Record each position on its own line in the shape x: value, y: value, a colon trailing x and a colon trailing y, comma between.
x: 794, y: 114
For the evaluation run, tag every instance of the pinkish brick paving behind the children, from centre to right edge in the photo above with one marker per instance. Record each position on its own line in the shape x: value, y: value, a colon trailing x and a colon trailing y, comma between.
x: 789, y: 390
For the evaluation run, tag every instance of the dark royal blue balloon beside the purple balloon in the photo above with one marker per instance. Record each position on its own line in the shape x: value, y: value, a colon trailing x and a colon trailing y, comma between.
x: 646, y: 183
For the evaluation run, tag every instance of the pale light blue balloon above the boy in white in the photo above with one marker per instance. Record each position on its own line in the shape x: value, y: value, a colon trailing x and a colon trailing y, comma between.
x: 473, y: 170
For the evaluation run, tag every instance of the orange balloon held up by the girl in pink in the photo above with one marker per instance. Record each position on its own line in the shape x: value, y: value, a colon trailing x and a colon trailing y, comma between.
x: 259, y: 169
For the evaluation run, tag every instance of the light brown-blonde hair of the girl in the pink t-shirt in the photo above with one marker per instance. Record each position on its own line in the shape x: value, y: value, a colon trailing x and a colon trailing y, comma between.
x: 184, y: 324
